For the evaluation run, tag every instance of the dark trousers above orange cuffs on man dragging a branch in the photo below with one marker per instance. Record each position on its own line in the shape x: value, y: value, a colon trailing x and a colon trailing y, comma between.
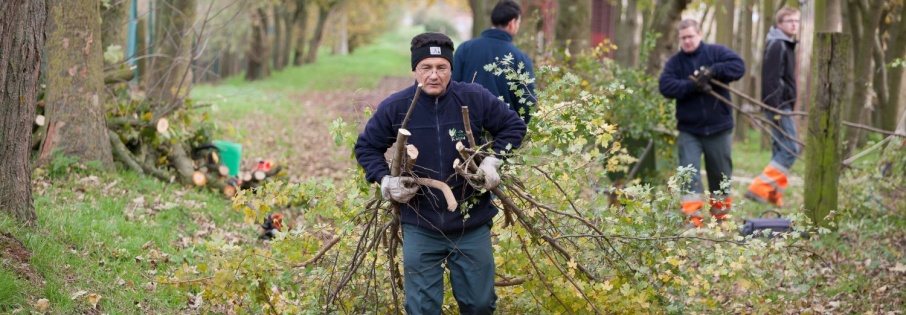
x: 718, y: 159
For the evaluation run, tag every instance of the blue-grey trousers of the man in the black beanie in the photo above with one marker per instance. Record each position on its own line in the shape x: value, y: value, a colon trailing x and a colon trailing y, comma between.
x: 470, y: 259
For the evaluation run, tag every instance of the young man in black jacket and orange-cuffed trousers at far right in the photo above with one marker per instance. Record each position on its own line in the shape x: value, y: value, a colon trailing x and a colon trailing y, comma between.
x: 778, y: 90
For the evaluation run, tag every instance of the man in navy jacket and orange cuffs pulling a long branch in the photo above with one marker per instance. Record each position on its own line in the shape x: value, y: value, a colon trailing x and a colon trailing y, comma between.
x: 705, y: 123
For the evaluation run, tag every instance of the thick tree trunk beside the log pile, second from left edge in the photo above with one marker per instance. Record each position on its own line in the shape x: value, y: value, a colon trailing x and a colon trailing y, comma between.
x: 75, y: 84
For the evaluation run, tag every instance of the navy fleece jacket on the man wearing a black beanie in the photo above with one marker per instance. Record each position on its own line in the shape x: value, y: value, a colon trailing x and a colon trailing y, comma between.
x: 436, y: 125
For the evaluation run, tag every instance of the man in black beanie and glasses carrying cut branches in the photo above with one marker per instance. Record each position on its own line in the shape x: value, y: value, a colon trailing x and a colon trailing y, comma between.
x: 434, y: 237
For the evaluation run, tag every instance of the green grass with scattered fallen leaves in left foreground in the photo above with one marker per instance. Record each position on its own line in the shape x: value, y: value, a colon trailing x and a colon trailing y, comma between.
x: 90, y: 232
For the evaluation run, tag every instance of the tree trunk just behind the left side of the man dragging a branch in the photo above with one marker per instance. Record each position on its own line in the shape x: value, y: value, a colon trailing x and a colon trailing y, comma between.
x: 666, y: 16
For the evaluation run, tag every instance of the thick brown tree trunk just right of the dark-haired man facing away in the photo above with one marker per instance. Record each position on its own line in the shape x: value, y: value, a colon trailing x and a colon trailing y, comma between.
x: 573, y: 26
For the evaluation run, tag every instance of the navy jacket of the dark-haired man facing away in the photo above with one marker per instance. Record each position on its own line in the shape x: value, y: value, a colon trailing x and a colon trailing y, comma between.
x: 471, y: 56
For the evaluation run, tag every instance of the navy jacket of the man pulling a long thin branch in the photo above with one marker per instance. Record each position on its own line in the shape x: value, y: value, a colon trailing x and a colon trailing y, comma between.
x: 700, y: 113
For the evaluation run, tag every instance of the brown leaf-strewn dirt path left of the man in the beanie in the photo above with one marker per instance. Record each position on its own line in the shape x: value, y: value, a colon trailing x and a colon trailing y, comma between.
x: 305, y: 146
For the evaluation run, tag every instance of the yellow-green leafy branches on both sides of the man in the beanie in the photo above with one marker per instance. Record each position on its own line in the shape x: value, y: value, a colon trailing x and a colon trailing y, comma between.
x: 631, y: 258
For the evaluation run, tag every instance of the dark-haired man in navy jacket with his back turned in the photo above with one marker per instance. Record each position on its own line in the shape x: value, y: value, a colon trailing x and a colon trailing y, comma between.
x: 497, y: 42
